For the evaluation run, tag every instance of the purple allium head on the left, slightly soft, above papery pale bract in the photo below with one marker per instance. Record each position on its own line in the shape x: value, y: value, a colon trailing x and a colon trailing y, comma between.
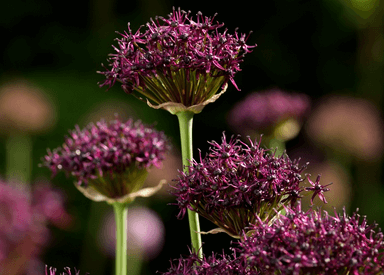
x: 110, y: 161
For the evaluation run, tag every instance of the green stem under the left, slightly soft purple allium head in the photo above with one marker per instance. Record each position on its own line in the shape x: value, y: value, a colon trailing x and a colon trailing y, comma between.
x: 121, y: 211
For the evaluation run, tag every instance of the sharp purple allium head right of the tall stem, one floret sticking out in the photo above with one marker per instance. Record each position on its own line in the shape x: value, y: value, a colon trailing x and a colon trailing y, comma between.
x: 236, y: 183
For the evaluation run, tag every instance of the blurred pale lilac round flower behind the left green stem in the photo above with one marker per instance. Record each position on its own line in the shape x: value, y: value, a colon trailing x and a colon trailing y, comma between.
x: 145, y: 233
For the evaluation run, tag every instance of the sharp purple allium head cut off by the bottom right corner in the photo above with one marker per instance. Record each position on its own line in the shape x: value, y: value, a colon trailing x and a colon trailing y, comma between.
x: 314, y: 243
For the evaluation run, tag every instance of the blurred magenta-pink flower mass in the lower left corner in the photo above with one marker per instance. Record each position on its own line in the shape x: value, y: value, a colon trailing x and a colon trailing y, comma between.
x: 23, y: 224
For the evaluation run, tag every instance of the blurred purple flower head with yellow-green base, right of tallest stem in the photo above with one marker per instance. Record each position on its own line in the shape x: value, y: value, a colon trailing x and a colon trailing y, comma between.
x: 272, y: 112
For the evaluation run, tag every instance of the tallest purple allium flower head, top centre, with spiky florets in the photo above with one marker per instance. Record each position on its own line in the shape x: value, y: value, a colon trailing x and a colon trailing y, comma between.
x: 178, y: 63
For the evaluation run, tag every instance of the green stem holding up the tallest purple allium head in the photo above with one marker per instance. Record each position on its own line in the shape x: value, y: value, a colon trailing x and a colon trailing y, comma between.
x: 185, y: 124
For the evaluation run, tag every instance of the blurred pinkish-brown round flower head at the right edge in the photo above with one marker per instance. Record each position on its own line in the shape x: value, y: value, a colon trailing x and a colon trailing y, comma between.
x: 348, y: 125
